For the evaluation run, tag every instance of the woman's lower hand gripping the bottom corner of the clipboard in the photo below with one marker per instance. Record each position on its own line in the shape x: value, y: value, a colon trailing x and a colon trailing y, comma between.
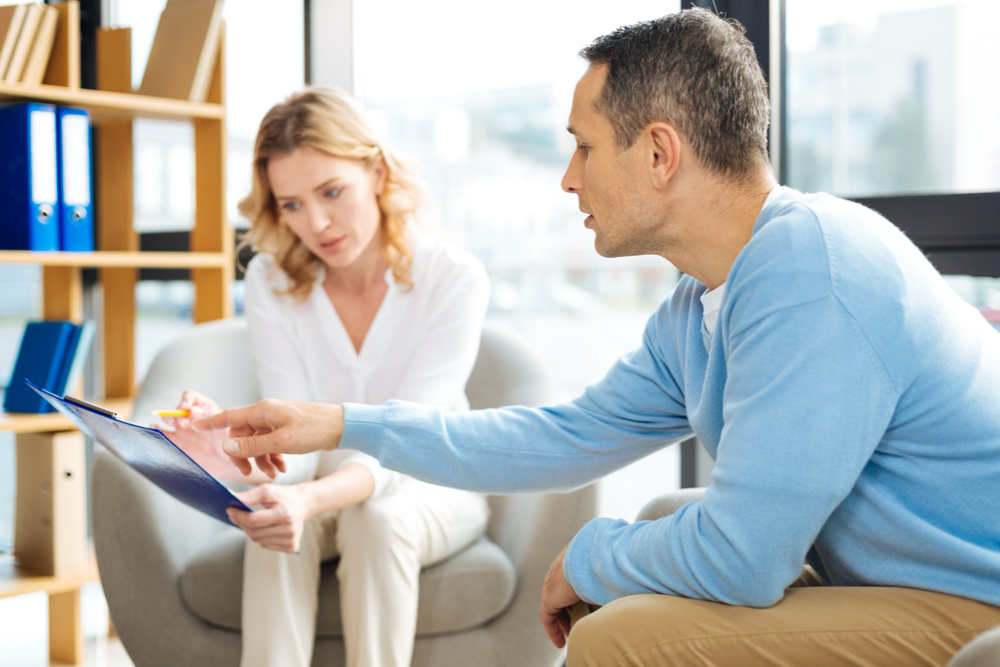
x: 278, y: 526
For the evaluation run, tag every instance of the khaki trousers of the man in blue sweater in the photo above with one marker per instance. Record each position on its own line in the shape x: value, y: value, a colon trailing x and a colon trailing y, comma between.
x: 823, y: 625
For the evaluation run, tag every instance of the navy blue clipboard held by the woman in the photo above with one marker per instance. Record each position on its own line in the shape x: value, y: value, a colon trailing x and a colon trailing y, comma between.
x: 151, y: 453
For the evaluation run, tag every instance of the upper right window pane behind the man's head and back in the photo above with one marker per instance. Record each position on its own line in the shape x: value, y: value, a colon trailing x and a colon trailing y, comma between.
x: 893, y: 96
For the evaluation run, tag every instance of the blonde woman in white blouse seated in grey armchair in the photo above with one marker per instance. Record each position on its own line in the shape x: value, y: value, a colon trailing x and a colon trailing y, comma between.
x: 344, y: 303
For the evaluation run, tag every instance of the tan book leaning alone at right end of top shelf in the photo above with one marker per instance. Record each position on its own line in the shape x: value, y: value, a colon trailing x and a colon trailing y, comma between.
x: 184, y: 50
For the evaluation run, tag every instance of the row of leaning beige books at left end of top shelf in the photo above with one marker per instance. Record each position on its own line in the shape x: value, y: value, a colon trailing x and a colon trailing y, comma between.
x: 27, y: 35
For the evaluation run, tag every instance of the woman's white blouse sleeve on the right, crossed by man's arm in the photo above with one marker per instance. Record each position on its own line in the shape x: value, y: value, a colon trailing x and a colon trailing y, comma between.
x: 442, y: 362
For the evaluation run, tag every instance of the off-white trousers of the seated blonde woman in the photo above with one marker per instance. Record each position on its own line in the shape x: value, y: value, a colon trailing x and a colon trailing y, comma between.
x: 382, y: 543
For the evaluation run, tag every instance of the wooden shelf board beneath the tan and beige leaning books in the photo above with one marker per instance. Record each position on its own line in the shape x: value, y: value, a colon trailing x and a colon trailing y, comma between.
x: 106, y: 105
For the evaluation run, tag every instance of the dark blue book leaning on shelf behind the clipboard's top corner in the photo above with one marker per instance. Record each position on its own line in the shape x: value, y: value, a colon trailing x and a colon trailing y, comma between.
x: 40, y: 359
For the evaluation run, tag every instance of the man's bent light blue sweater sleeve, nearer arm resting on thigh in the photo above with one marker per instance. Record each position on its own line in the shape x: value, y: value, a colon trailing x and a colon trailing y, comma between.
x: 806, y: 402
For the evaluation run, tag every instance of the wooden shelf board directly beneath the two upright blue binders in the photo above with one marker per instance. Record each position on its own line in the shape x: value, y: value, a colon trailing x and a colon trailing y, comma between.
x: 119, y: 259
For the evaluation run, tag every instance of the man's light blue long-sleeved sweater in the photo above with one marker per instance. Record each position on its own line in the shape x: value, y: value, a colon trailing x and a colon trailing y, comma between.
x: 850, y: 399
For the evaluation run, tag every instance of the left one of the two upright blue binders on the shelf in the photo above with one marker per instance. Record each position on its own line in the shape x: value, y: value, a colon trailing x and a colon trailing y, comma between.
x: 28, y: 188
